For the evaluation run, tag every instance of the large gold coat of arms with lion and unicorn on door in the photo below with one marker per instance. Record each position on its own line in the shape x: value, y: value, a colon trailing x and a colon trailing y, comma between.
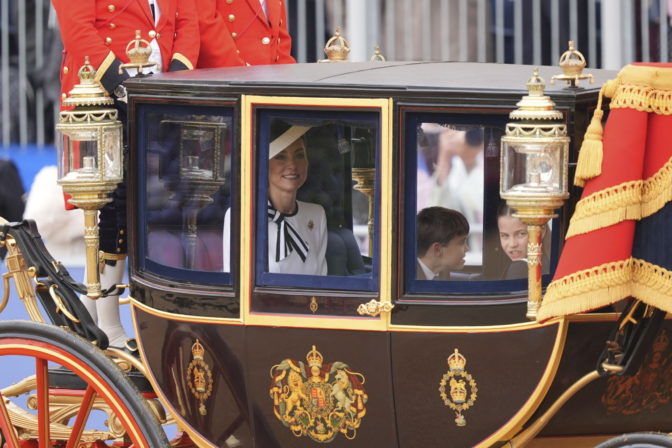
x: 318, y: 400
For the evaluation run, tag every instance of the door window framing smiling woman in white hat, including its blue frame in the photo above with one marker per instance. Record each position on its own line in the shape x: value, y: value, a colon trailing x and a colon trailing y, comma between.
x: 317, y: 197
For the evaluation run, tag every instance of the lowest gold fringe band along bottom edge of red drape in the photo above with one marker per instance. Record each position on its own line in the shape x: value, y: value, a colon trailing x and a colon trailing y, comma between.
x: 607, y: 284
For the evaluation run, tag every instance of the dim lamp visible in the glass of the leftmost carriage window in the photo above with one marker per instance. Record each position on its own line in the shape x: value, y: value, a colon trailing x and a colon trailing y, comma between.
x: 202, y: 172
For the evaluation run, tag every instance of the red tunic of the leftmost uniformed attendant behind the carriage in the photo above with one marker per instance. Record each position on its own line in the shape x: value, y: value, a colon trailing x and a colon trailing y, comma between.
x: 101, y: 30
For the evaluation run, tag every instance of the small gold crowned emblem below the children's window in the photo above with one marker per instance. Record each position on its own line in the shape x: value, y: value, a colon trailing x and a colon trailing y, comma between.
x: 457, y: 387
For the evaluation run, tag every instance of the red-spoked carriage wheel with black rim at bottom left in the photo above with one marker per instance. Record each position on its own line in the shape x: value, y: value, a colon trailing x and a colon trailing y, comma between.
x: 102, y: 385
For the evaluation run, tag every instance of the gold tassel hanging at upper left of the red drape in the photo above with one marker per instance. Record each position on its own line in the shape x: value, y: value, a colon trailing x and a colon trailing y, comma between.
x: 589, y: 164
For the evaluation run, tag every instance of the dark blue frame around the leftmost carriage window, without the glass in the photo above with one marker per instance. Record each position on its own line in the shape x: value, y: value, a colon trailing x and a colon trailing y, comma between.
x: 143, y: 110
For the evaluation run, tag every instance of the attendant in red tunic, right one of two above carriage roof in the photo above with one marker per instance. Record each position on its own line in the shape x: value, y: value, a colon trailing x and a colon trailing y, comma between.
x: 243, y: 32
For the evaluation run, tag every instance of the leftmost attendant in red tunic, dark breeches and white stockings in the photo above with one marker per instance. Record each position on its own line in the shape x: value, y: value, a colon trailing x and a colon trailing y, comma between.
x: 101, y: 31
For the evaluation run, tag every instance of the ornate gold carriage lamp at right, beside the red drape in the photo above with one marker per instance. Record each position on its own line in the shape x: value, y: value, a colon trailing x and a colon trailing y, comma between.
x: 533, y: 173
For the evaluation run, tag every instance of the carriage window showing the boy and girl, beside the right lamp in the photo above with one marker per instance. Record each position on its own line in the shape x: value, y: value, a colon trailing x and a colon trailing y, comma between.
x: 463, y: 237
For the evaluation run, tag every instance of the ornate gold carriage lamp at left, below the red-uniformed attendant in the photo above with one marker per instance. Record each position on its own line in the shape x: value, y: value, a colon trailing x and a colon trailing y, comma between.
x: 89, y: 159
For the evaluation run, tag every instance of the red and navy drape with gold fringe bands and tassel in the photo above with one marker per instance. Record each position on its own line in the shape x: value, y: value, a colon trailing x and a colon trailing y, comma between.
x: 619, y: 241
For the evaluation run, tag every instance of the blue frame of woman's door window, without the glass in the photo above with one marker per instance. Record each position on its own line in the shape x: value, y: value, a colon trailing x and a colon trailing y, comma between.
x: 264, y: 114
